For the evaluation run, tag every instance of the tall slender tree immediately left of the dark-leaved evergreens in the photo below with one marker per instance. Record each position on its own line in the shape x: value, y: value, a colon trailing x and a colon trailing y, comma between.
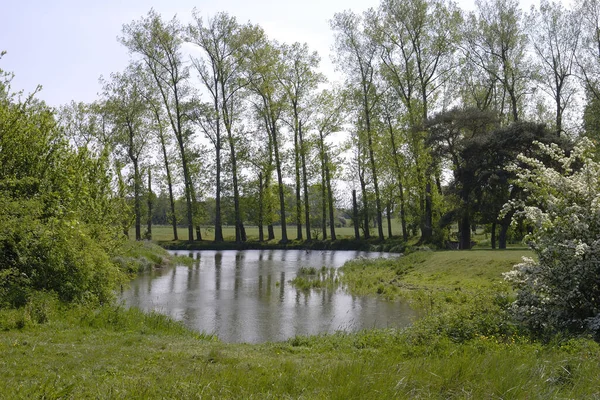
x: 418, y: 40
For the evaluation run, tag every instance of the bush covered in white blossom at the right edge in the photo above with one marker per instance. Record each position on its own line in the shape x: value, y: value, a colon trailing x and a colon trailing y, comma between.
x: 560, y: 291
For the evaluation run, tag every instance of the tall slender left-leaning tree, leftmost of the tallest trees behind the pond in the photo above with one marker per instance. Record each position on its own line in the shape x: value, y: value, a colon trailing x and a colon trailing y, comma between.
x: 159, y: 45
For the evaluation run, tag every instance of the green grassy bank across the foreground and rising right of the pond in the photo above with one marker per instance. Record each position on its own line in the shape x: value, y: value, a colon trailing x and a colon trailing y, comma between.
x: 459, y: 350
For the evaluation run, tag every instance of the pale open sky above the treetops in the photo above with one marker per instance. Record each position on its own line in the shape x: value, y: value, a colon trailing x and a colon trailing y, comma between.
x: 66, y: 45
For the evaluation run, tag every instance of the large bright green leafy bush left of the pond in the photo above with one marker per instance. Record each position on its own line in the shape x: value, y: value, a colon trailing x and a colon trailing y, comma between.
x: 57, y: 217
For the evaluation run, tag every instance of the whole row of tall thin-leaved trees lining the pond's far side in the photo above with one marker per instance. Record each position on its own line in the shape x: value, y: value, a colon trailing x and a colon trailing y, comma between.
x: 219, y: 110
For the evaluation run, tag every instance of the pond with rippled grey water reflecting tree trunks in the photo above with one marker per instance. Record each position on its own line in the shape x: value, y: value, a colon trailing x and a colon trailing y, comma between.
x: 245, y: 296
